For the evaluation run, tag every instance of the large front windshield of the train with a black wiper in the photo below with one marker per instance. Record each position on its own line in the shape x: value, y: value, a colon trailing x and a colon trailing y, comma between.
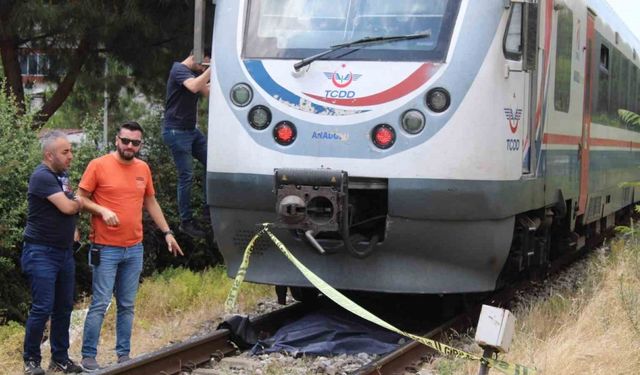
x: 296, y: 29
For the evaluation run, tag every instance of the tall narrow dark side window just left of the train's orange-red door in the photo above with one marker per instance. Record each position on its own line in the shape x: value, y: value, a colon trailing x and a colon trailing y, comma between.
x: 564, y: 40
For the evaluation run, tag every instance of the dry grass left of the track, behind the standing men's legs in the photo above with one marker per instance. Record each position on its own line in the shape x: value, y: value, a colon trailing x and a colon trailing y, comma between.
x: 170, y: 307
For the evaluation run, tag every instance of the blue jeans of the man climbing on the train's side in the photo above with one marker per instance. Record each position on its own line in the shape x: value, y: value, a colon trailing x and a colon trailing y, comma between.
x: 186, y: 145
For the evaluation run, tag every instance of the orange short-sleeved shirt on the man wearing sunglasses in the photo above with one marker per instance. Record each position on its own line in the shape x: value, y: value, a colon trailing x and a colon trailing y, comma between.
x: 121, y: 188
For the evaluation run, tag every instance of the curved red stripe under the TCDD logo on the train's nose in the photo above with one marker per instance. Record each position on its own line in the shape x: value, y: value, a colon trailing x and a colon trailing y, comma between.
x: 414, y: 81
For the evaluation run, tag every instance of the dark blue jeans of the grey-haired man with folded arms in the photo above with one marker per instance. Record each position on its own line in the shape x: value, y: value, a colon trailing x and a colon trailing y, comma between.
x: 51, y: 273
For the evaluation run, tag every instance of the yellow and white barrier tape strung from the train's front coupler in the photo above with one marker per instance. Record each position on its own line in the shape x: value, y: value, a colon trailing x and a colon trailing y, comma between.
x: 346, y: 303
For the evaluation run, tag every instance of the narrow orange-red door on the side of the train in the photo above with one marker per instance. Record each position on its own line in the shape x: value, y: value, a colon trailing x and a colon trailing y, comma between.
x: 583, y: 151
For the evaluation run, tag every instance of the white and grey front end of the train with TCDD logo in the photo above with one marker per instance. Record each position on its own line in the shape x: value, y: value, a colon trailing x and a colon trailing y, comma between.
x: 367, y: 131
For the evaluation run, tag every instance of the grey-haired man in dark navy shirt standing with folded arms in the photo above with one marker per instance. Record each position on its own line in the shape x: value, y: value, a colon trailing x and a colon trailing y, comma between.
x: 47, y: 255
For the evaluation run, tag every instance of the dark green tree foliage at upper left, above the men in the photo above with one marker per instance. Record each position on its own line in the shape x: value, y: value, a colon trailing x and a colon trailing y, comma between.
x: 77, y: 35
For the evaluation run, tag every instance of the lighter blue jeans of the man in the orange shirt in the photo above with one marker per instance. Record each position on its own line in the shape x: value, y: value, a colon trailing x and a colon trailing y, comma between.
x: 118, y: 273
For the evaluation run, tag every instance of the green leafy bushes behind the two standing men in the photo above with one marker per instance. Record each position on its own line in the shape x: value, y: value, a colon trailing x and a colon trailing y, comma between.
x: 20, y: 155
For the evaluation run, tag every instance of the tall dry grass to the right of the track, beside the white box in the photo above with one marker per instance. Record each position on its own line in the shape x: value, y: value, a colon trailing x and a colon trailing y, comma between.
x: 591, y: 329
